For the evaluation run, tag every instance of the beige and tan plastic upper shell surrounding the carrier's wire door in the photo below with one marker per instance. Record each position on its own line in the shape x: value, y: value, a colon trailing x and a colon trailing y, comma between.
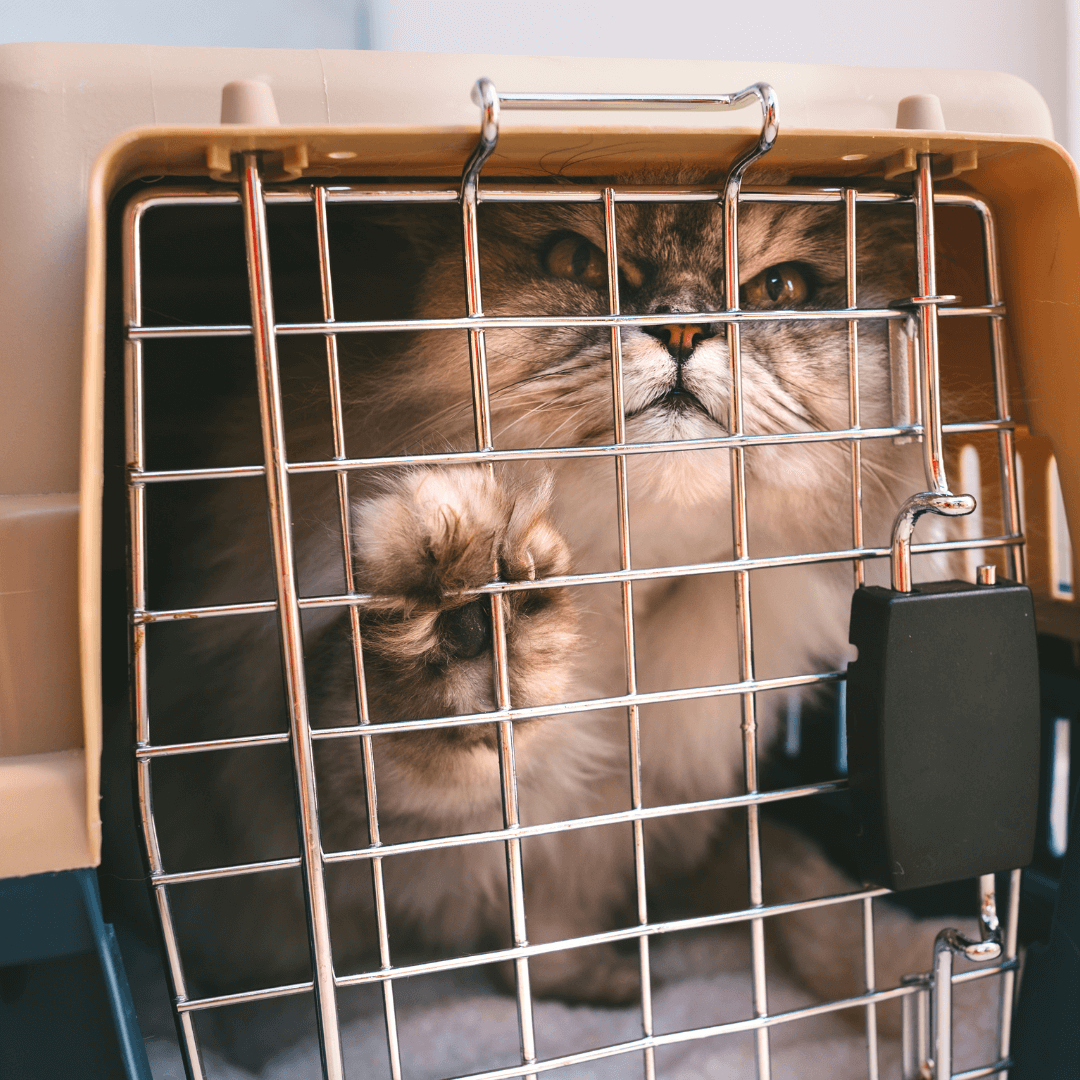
x: 80, y: 123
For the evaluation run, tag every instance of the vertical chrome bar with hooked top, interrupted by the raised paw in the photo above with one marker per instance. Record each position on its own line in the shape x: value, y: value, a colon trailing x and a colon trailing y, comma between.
x: 484, y: 94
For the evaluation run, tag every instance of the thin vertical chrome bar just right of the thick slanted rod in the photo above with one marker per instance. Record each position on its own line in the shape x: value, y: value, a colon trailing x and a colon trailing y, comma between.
x: 371, y: 794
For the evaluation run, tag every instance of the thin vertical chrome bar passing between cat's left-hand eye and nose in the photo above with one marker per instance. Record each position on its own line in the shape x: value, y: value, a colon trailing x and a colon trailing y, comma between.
x: 633, y: 712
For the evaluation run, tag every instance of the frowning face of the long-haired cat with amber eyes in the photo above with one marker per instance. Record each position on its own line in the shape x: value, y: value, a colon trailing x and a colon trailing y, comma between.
x: 553, y: 386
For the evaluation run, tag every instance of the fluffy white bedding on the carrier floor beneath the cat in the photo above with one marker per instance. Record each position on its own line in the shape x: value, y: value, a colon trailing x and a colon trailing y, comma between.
x: 457, y: 1024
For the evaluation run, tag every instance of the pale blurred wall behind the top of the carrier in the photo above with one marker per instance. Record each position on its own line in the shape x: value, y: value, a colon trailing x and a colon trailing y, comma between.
x: 1035, y: 39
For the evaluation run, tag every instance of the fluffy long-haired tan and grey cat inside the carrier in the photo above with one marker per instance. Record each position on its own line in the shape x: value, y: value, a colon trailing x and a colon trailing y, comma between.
x: 424, y: 535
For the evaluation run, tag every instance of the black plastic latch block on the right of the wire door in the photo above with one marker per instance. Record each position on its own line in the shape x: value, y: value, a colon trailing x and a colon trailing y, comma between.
x: 943, y: 732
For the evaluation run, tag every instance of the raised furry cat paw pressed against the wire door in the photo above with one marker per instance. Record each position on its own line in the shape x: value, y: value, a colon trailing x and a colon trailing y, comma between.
x: 422, y: 546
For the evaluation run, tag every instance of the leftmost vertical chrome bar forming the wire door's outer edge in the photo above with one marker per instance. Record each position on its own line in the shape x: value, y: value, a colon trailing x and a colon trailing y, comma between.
x: 136, y: 451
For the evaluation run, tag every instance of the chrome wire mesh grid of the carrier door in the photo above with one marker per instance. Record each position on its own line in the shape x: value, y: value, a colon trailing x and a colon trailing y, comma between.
x: 290, y: 604
